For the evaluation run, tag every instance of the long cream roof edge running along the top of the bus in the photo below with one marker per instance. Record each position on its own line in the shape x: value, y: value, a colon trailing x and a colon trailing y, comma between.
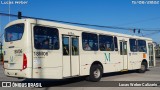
x: 72, y: 27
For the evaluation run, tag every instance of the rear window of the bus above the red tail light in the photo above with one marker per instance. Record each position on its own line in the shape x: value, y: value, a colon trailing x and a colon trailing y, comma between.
x: 14, y: 32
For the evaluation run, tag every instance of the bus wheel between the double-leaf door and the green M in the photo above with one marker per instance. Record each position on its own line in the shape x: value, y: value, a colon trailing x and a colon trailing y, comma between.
x: 95, y: 73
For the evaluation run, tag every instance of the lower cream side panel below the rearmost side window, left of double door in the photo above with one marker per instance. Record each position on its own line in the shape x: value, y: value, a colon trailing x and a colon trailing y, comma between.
x: 49, y: 67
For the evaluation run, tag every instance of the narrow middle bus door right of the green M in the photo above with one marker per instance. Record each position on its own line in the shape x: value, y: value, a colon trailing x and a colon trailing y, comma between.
x: 123, y: 52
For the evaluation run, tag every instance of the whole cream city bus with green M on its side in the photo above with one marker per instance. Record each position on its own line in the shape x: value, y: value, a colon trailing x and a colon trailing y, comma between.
x: 49, y: 50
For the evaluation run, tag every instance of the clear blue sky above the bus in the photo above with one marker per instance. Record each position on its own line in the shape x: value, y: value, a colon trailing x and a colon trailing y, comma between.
x: 119, y: 13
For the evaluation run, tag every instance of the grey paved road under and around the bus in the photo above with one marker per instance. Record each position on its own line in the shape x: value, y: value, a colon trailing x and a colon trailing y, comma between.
x: 153, y: 74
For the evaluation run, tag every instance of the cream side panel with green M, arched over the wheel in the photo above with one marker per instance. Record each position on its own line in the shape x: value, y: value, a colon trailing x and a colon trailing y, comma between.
x: 110, y: 64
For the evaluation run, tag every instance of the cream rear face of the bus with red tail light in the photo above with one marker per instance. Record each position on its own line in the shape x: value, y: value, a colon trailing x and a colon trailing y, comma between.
x: 15, y: 48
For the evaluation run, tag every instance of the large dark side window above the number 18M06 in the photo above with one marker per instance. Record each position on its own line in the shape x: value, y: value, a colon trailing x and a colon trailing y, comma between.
x: 46, y: 38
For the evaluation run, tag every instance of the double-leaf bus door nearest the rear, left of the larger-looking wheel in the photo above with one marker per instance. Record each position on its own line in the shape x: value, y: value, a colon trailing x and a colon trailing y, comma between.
x: 70, y: 46
